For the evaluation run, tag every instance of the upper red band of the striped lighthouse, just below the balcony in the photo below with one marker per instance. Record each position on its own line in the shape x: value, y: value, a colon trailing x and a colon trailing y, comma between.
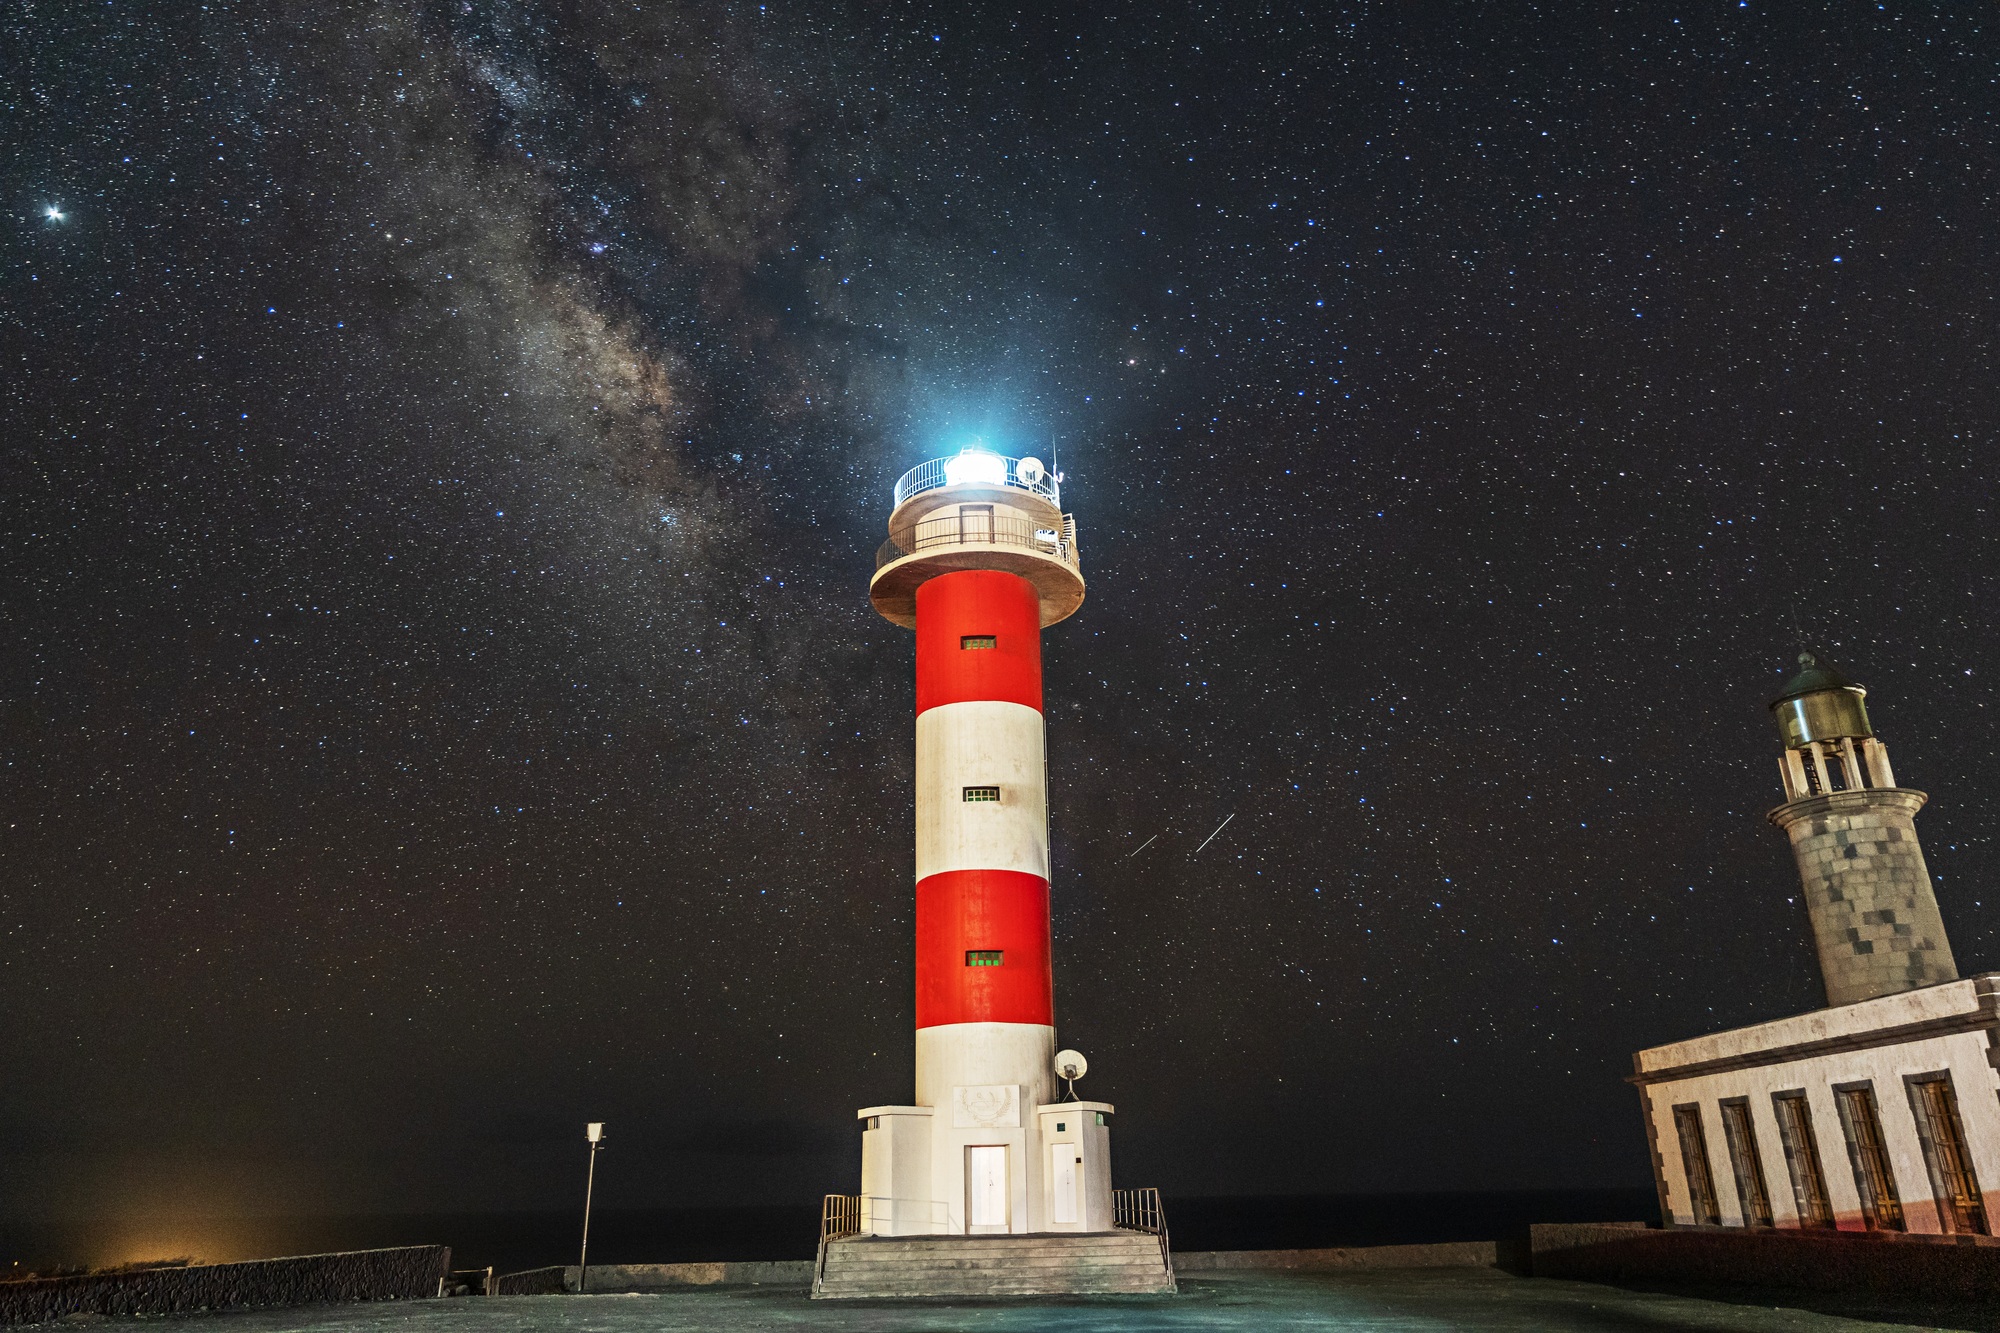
x: 979, y: 601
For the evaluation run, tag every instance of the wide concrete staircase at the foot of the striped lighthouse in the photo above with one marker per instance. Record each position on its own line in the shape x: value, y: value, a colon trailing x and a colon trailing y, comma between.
x: 995, y: 1266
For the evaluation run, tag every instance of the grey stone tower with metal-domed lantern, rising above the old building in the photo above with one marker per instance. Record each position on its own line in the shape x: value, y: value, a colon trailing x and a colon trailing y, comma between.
x: 1875, y: 918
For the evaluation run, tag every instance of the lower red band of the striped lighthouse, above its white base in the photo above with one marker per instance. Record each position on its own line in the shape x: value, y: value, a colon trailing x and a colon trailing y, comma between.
x: 961, y: 912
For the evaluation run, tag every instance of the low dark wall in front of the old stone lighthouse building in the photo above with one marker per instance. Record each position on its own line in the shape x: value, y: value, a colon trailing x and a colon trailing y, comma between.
x: 1945, y: 1268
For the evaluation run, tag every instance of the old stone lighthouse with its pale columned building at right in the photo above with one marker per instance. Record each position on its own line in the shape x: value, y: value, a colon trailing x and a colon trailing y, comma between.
x: 1883, y: 1110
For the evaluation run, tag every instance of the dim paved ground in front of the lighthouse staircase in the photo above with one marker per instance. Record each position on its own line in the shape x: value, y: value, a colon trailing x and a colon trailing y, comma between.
x: 1383, y: 1302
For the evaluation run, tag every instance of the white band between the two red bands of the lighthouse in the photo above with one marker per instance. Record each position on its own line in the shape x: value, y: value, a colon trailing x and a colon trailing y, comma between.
x: 981, y: 744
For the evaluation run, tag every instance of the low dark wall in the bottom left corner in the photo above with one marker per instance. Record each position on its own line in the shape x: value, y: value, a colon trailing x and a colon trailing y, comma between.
x: 303, y: 1280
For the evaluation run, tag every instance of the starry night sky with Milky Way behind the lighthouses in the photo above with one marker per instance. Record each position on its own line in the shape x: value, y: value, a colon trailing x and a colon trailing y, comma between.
x: 441, y: 459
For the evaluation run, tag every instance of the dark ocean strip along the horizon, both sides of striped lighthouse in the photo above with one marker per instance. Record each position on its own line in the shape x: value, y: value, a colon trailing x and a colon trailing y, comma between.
x: 685, y: 1236
